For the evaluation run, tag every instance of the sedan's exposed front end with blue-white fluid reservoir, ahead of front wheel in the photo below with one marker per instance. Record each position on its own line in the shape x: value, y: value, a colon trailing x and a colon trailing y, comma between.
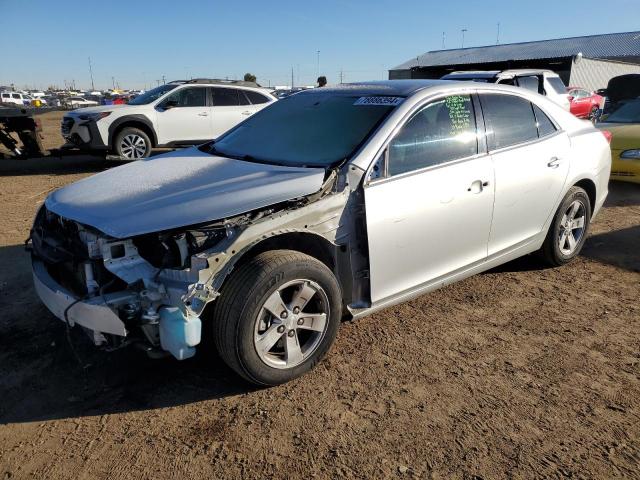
x: 120, y: 291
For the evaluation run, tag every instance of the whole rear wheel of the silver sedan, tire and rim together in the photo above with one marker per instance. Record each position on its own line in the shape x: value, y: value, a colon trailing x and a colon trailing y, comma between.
x: 568, y: 231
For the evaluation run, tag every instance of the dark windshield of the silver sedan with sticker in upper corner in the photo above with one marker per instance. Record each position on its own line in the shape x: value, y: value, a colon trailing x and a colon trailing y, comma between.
x: 308, y: 129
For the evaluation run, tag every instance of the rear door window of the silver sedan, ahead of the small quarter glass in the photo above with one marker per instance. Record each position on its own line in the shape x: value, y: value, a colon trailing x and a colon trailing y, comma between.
x: 509, y: 120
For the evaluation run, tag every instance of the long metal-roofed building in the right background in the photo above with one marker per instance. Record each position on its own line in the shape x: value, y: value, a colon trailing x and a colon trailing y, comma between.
x: 588, y: 61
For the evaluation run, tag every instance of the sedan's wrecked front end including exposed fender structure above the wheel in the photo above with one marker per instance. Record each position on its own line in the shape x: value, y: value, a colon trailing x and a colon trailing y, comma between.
x: 152, y: 289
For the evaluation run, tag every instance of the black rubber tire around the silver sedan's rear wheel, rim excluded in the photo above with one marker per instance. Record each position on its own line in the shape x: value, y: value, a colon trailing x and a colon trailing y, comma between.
x: 551, y: 251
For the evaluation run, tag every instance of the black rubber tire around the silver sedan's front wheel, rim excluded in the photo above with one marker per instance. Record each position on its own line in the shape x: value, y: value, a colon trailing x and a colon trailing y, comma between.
x: 242, y: 298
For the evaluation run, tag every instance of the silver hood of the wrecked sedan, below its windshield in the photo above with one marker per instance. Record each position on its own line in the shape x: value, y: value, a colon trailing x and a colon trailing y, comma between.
x: 177, y: 189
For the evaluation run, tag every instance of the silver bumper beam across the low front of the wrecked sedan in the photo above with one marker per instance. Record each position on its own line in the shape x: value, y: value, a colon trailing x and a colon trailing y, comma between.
x: 94, y: 314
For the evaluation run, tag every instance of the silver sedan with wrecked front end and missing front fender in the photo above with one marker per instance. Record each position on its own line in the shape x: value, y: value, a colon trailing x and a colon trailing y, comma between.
x: 329, y: 204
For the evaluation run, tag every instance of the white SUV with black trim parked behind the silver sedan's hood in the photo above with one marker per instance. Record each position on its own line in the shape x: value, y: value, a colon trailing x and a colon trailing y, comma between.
x: 176, y: 114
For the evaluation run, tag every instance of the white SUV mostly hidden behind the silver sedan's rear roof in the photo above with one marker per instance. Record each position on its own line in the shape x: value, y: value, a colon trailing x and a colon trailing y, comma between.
x: 544, y: 82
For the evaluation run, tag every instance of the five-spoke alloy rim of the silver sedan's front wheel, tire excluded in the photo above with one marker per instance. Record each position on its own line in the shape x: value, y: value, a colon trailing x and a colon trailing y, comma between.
x: 291, y: 324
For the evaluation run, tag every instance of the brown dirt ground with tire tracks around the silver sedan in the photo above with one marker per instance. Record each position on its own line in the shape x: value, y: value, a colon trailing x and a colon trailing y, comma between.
x: 522, y: 372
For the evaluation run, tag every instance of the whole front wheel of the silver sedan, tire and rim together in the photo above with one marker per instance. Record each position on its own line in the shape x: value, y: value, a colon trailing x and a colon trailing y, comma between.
x: 277, y: 316
